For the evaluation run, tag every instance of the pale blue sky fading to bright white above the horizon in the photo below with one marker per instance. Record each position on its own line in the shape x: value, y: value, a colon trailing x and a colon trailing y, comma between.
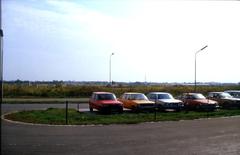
x: 153, y: 41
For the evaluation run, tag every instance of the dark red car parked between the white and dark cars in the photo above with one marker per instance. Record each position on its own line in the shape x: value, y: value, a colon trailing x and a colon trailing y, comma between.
x: 196, y: 101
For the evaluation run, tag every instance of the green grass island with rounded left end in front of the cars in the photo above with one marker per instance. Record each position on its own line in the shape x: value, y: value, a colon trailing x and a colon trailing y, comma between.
x: 57, y: 116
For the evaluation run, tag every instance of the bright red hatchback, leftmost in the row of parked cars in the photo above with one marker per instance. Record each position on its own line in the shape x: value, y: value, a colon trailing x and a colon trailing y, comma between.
x: 105, y: 102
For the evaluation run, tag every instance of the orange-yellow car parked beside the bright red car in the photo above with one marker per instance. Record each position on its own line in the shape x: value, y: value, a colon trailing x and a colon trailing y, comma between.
x: 136, y: 101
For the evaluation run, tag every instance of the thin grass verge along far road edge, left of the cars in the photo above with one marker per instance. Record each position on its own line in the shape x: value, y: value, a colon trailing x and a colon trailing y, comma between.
x: 44, y: 100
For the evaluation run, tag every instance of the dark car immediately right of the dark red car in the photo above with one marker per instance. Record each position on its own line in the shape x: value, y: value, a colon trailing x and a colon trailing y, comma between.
x: 224, y: 99
